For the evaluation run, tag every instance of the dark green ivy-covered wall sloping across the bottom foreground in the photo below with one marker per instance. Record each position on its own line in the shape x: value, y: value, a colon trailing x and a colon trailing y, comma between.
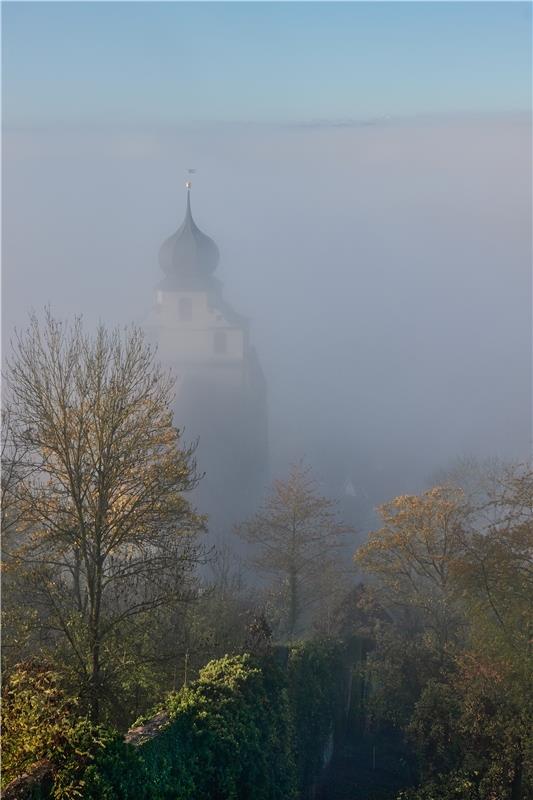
x: 248, y: 729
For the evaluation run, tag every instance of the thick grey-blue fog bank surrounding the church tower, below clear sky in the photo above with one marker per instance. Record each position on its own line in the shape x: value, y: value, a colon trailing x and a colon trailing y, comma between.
x: 385, y: 270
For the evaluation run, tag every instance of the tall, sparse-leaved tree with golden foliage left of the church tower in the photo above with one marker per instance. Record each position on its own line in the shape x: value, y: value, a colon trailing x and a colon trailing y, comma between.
x: 112, y: 538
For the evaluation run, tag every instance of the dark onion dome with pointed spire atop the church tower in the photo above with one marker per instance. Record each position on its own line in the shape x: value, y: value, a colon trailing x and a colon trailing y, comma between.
x: 188, y: 255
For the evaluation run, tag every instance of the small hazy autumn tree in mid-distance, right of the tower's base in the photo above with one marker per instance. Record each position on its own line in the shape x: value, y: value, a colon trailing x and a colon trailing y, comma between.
x: 297, y: 539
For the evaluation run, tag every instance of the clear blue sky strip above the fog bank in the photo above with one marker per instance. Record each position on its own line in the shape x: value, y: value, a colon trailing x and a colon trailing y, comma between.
x: 178, y: 63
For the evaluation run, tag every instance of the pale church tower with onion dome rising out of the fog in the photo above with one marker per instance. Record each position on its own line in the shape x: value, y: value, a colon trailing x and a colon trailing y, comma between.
x: 220, y: 387
